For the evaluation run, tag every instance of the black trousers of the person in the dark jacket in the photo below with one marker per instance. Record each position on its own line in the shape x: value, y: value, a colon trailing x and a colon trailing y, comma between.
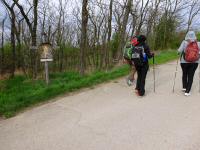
x: 141, y: 72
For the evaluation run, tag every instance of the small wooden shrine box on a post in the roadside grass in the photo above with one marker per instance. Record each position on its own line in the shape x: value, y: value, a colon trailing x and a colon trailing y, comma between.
x: 46, y: 56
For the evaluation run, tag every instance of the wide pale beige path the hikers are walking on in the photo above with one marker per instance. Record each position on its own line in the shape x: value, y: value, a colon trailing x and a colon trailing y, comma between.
x: 111, y: 117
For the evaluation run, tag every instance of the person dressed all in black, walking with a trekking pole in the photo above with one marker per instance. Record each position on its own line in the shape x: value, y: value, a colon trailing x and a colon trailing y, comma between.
x: 142, y: 69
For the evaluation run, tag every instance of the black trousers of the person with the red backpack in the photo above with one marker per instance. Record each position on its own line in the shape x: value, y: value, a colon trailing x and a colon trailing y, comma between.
x: 188, y: 75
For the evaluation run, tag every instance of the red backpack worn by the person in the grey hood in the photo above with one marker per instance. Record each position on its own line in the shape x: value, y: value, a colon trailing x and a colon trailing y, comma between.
x: 192, y: 52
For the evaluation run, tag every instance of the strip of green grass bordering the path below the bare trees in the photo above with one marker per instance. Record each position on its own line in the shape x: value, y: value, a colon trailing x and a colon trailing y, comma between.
x: 20, y: 92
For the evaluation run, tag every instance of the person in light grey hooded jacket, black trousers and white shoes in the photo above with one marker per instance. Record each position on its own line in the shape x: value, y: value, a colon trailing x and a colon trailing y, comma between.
x: 188, y: 68
